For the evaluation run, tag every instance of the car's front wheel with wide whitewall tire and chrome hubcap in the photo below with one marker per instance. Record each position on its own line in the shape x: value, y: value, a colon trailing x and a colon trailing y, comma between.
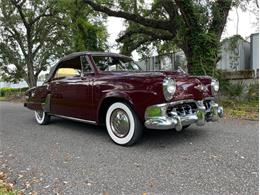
x: 123, y: 126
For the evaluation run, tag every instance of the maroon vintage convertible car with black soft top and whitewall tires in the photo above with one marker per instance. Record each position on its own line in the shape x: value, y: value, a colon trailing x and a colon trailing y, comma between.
x: 111, y: 89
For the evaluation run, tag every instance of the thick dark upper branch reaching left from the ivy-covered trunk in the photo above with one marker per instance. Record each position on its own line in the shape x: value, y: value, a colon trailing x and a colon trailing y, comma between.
x: 158, y: 24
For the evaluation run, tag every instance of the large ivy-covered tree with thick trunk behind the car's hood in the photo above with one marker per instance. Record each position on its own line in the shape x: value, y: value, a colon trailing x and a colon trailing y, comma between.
x: 195, y: 26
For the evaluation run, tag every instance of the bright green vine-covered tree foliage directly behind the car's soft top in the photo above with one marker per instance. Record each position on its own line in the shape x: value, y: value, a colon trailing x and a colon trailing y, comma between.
x: 85, y: 28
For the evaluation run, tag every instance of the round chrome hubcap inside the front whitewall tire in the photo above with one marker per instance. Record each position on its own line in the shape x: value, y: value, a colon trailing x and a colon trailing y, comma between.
x: 120, y: 123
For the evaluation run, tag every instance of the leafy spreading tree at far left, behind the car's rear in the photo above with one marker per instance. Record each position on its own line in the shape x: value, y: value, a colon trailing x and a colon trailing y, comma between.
x: 30, y: 37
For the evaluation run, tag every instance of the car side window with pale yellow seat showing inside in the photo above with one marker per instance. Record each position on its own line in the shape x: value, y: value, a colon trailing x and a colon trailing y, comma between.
x: 68, y: 68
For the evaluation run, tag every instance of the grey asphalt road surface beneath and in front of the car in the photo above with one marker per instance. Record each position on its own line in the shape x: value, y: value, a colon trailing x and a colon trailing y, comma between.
x: 69, y: 157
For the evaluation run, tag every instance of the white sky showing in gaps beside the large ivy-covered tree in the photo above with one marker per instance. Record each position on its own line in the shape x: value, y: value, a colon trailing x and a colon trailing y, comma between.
x: 246, y: 27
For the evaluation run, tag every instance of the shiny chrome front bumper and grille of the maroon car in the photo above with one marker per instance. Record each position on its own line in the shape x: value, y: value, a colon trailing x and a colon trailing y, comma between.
x: 174, y: 120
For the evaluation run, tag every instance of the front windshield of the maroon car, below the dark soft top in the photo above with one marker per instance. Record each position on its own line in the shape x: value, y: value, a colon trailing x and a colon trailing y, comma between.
x: 109, y: 63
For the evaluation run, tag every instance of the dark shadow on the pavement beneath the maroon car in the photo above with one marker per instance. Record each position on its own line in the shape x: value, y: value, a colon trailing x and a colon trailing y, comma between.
x: 161, y: 138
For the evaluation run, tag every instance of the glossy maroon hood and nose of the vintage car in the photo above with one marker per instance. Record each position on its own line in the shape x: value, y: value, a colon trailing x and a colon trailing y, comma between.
x: 187, y: 85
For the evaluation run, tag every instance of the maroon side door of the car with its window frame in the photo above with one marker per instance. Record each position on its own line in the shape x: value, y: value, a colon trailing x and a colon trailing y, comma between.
x: 71, y: 94
